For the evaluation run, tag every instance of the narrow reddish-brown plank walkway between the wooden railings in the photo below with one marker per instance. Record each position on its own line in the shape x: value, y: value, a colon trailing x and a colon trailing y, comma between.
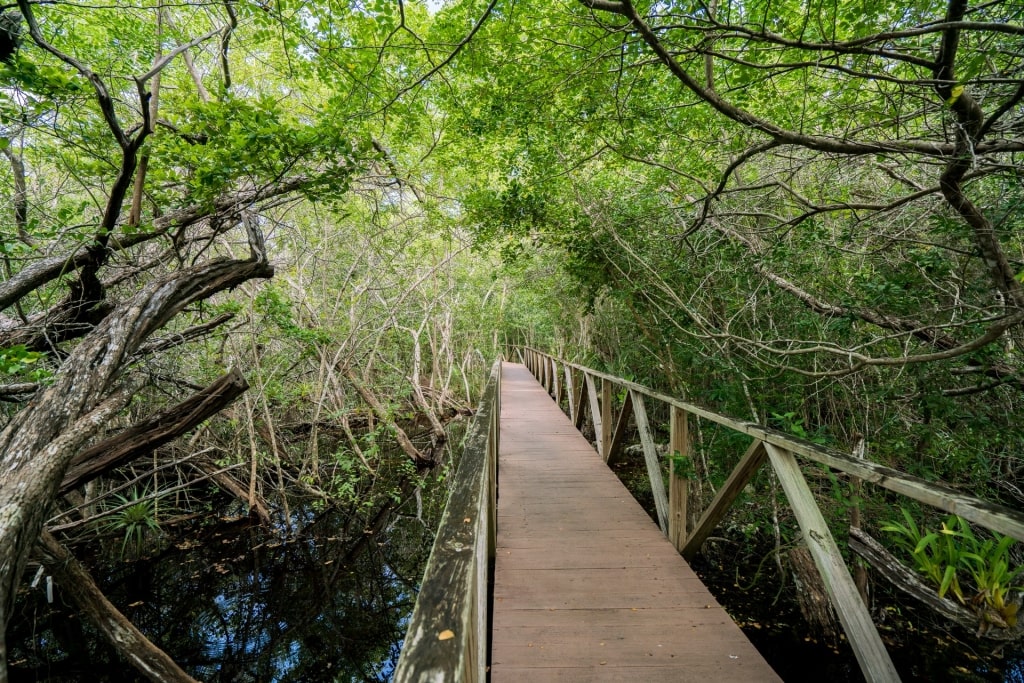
x: 586, y: 587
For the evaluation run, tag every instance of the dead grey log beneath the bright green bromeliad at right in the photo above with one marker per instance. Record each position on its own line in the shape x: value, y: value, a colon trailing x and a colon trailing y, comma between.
x: 907, y: 581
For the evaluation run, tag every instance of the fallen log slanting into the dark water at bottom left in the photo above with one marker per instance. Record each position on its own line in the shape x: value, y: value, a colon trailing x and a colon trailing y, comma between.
x: 122, y: 634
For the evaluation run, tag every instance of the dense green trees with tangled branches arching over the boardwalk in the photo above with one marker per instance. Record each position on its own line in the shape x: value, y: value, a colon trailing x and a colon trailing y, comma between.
x: 776, y: 208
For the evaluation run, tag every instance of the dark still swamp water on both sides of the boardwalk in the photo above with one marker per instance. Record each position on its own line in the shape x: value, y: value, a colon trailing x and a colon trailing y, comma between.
x: 328, y: 601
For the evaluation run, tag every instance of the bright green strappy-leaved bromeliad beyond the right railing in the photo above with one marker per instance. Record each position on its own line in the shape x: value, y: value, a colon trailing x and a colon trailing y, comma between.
x: 946, y: 556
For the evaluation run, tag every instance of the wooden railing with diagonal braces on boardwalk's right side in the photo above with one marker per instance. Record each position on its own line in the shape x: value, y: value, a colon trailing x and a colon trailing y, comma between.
x: 580, y: 387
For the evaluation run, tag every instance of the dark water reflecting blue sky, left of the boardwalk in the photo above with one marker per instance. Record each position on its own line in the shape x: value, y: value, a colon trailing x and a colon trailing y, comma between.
x: 236, y: 604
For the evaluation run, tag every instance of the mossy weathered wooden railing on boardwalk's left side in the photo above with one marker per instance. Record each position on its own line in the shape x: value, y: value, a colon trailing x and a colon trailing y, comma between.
x: 447, y: 639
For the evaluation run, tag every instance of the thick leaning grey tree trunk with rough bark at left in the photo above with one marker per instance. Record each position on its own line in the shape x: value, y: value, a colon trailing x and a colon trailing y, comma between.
x: 38, y: 446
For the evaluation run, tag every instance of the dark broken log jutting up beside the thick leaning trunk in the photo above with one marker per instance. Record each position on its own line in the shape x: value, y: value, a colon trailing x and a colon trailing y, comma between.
x: 160, y: 429
